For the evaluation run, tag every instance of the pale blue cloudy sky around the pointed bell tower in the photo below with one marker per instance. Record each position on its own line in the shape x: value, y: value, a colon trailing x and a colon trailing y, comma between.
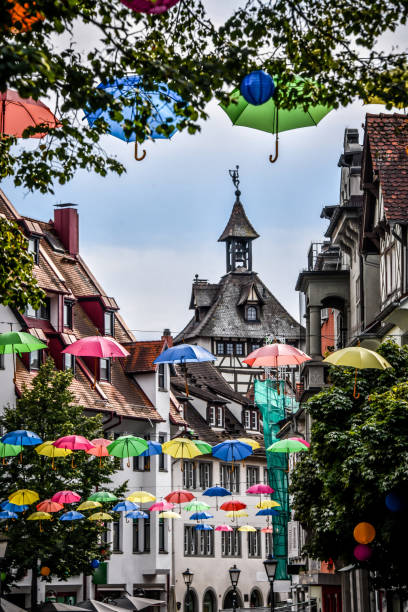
x: 146, y: 234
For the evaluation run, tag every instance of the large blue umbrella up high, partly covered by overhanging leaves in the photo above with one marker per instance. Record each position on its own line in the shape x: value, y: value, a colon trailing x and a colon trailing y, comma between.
x: 130, y: 87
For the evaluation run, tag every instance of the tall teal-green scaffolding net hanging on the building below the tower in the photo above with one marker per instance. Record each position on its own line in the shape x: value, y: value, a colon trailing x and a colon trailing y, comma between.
x: 275, y: 407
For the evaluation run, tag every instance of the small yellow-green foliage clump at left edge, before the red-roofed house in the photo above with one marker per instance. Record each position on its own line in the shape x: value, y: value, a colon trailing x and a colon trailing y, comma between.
x: 18, y: 287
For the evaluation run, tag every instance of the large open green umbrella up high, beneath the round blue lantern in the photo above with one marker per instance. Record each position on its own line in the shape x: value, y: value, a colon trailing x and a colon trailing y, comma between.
x: 269, y: 118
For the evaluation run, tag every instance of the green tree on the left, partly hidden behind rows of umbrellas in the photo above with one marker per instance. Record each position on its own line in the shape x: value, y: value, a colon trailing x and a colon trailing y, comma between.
x: 67, y: 548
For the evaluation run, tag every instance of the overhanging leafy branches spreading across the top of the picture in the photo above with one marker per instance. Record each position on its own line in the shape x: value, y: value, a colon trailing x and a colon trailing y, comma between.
x: 334, y: 45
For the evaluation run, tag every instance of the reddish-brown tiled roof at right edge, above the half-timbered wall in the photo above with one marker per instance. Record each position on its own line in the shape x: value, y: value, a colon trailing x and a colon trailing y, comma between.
x: 387, y: 139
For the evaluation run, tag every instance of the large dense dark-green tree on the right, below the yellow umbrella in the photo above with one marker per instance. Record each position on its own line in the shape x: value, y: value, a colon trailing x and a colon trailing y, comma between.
x: 358, y: 454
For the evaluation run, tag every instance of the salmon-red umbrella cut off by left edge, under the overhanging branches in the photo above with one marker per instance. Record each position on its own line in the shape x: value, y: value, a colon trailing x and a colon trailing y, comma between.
x: 17, y: 114
